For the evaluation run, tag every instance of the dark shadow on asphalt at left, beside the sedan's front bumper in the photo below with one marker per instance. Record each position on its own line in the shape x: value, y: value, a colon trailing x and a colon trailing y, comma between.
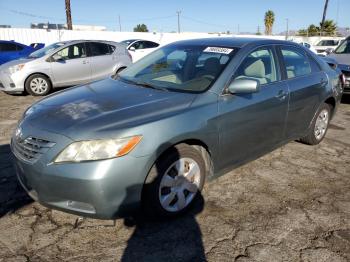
x: 12, y: 195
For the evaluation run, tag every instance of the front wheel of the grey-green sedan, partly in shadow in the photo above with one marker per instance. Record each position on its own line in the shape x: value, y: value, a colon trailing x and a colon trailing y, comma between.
x: 164, y: 183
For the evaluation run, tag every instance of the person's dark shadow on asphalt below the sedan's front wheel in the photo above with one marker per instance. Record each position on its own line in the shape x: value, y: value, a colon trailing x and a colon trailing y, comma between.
x: 175, y: 238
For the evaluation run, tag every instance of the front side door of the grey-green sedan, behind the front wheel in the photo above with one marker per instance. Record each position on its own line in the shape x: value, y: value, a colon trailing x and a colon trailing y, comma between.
x: 251, y: 124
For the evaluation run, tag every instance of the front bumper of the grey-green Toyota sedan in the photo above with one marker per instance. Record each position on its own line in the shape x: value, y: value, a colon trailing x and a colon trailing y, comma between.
x: 104, y: 189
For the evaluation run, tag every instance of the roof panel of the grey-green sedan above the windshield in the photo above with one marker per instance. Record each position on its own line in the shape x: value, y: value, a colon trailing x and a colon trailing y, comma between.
x: 233, y: 41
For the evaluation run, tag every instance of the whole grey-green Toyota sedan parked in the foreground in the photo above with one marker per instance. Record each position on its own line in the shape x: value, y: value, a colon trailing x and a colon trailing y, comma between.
x: 185, y: 113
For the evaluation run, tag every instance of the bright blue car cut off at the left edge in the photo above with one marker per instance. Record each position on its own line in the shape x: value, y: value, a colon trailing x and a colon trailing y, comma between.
x: 11, y: 50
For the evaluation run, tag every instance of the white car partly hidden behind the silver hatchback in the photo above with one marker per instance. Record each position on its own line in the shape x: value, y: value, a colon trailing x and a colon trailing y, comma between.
x: 139, y: 48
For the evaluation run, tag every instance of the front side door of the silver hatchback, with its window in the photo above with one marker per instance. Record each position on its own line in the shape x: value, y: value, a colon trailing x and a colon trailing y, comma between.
x: 74, y: 66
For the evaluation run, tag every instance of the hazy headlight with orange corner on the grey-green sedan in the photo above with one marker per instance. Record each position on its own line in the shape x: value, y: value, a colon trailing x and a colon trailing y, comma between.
x: 97, y: 149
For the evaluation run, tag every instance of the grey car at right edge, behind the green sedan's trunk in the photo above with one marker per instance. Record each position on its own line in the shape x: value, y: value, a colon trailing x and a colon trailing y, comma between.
x: 342, y: 56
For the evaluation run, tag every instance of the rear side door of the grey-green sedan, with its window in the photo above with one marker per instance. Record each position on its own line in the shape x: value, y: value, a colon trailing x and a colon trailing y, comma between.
x: 305, y: 81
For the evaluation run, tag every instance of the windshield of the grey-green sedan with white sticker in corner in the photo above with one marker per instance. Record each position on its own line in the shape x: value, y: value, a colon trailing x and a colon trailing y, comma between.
x: 183, y: 68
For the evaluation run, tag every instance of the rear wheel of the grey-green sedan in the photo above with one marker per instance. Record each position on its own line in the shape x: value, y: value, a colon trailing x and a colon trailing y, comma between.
x: 318, y: 127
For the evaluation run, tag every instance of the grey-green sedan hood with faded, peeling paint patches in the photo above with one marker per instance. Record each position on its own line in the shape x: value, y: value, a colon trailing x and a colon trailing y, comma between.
x: 103, y: 106
